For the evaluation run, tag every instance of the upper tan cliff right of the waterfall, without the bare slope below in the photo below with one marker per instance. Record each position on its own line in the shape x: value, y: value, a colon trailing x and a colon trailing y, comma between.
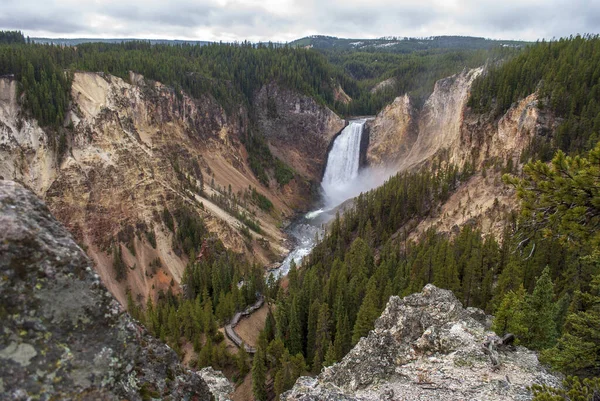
x: 405, y: 137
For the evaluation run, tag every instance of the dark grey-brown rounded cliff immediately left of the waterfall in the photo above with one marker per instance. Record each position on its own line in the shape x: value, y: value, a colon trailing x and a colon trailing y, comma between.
x: 298, y: 129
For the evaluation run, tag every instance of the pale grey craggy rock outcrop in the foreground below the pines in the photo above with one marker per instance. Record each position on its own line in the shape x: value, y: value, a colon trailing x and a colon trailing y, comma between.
x: 428, y: 347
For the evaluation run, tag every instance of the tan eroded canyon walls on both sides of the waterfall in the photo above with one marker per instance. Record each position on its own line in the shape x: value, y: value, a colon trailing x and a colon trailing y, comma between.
x: 136, y: 145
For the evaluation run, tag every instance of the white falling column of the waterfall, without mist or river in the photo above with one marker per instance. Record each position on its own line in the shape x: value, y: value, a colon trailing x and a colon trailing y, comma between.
x: 342, y: 164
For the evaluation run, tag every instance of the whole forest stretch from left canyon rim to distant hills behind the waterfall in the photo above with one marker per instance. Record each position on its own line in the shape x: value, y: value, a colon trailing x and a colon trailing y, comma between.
x: 233, y: 72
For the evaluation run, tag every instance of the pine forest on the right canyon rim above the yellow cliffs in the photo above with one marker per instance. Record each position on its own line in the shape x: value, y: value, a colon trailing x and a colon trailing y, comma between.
x: 566, y: 75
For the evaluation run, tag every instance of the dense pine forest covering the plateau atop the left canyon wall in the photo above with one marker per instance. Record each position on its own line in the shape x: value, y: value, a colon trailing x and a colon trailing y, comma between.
x: 231, y: 73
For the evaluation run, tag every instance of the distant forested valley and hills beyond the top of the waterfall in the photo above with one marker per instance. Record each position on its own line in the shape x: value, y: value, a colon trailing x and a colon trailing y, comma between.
x: 389, y: 67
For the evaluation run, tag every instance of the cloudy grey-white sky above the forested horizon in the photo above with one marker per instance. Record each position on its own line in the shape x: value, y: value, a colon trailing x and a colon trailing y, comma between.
x: 286, y: 20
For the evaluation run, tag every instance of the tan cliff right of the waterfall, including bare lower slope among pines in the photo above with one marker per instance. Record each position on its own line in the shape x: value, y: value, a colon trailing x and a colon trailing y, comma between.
x: 445, y: 129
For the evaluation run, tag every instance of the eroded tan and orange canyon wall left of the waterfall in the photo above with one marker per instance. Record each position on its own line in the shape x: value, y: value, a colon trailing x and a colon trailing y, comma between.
x: 138, y: 148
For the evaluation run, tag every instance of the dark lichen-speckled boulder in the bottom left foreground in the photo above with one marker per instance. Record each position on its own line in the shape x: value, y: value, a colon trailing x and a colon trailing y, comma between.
x: 63, y: 336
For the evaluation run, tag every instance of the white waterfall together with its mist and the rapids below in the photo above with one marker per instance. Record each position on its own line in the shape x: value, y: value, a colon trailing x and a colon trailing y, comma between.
x: 342, y: 180
